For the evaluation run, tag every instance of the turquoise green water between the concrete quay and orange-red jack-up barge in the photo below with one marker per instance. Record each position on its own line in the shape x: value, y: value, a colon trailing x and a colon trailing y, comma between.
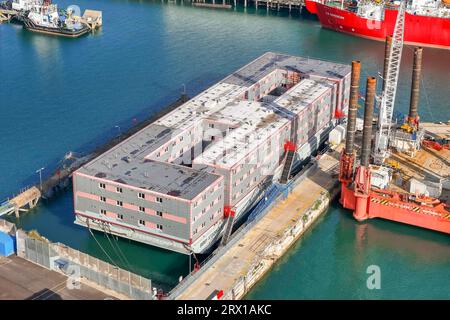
x: 331, y: 261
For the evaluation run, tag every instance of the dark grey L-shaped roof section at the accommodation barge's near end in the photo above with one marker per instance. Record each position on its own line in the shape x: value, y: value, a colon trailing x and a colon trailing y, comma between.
x: 125, y: 163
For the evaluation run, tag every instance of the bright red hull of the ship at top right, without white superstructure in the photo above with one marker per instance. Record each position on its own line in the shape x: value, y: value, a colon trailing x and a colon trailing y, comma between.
x: 419, y: 30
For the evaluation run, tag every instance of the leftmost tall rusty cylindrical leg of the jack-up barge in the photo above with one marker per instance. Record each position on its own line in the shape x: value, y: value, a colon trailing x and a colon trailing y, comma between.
x: 353, y: 108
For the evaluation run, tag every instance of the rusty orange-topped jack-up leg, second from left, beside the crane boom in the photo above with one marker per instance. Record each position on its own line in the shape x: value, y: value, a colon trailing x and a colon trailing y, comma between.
x: 368, y: 119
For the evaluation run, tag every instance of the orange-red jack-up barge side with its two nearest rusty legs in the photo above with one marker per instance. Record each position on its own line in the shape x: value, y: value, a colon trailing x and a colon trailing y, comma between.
x: 368, y: 202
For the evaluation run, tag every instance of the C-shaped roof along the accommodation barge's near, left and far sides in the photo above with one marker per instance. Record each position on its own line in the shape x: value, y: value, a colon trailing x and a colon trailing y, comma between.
x: 126, y: 162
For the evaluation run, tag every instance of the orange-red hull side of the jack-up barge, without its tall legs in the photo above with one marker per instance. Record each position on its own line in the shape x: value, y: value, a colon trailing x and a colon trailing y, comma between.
x: 392, y: 208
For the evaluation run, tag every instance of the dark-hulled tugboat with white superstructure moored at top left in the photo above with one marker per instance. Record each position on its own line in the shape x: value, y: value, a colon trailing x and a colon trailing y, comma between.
x: 45, y: 18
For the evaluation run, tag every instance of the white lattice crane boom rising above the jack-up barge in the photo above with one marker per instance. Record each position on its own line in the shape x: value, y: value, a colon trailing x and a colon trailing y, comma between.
x: 386, y: 109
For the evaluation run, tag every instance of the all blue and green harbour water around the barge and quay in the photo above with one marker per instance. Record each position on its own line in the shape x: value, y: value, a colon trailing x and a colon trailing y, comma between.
x: 73, y: 94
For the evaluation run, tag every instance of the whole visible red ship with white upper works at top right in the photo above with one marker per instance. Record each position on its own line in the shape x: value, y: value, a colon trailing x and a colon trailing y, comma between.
x: 427, y: 22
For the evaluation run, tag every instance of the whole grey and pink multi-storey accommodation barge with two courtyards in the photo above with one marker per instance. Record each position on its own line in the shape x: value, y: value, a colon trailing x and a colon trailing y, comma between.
x: 176, y: 183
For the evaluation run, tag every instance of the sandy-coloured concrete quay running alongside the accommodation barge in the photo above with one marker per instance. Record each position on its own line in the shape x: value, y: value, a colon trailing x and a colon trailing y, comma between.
x: 245, y: 261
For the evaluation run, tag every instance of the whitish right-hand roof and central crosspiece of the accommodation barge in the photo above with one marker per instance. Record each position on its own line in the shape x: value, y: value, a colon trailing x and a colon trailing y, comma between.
x: 255, y: 121
